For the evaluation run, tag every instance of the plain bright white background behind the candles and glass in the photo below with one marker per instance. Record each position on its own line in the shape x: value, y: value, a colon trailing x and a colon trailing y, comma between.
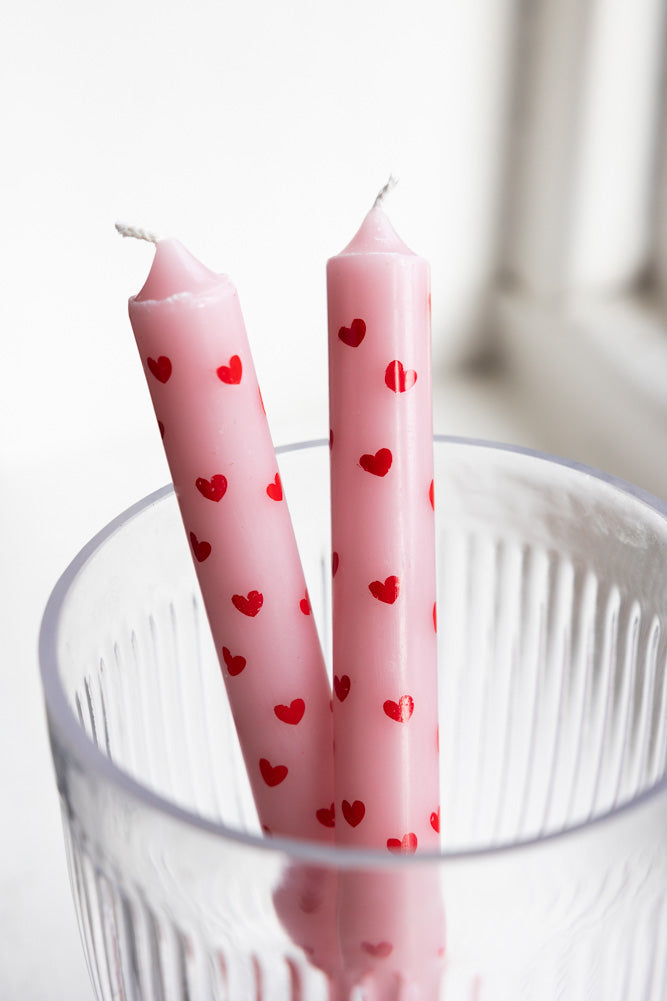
x: 259, y: 134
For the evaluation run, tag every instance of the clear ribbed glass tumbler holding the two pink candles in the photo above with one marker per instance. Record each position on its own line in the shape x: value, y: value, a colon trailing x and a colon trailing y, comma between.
x: 552, y: 876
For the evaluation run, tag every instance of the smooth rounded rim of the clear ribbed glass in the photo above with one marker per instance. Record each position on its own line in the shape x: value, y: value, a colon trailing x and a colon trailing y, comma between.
x: 64, y: 721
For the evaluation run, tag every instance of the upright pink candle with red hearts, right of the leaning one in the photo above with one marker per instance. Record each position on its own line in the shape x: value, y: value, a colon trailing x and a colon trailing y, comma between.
x: 391, y: 925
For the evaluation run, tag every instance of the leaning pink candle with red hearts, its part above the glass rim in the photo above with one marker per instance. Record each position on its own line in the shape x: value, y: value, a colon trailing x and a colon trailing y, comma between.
x: 192, y: 339
